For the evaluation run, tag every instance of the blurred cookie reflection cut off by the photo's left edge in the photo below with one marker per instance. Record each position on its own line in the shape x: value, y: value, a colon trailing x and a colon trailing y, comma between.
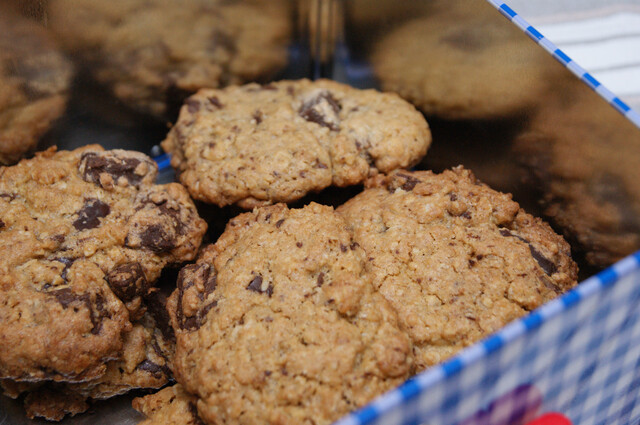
x: 35, y: 78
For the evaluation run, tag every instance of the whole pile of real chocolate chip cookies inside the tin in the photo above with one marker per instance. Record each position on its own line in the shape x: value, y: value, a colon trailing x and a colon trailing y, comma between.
x: 295, y: 314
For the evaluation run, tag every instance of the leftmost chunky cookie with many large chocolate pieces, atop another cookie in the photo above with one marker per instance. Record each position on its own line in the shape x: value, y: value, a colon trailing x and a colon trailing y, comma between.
x: 84, y: 235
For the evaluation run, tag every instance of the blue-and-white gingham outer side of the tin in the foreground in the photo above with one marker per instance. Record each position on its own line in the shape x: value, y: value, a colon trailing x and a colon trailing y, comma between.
x: 579, y: 353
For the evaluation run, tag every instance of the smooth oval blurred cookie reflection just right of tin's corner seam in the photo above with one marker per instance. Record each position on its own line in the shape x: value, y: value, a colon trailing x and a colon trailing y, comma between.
x: 463, y: 62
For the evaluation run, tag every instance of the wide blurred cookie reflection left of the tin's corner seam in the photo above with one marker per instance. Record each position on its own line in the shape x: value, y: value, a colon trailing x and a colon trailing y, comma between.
x: 154, y: 54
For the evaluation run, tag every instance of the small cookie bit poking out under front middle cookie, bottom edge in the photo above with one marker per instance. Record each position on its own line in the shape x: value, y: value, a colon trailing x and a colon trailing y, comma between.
x: 170, y: 406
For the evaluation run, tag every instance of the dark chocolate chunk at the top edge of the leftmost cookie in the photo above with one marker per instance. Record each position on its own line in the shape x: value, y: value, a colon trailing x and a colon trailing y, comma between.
x: 93, y: 164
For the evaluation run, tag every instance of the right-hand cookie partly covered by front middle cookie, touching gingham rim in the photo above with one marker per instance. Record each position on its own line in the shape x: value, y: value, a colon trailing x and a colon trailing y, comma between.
x: 456, y: 259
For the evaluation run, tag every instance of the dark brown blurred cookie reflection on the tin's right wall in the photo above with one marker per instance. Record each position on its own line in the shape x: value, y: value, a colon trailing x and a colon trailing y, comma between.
x: 584, y: 158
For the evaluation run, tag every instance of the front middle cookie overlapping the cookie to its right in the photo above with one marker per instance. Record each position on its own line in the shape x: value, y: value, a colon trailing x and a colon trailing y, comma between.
x: 279, y: 323
